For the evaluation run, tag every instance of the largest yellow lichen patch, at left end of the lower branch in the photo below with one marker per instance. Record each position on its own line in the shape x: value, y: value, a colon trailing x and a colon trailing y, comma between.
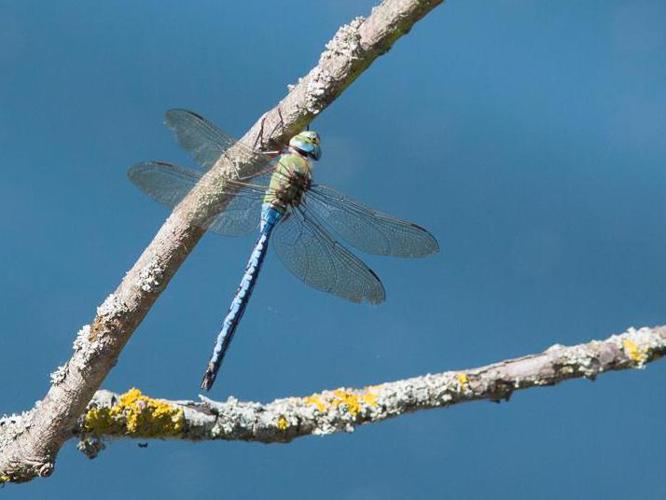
x: 135, y: 415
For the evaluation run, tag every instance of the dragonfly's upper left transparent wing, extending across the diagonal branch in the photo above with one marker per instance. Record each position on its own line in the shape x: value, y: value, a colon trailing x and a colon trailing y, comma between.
x: 204, y: 140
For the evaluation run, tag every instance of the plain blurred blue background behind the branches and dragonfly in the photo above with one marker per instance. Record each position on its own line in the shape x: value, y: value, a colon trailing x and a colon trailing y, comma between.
x: 528, y: 136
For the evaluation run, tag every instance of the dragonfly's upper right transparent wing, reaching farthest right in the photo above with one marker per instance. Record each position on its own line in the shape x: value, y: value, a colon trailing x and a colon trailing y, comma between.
x: 367, y: 229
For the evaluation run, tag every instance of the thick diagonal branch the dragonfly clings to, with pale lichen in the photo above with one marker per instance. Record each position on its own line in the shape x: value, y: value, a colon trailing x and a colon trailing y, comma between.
x: 32, y: 451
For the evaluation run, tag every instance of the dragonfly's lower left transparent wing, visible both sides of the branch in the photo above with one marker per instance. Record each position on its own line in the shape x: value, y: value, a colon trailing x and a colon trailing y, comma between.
x: 168, y: 184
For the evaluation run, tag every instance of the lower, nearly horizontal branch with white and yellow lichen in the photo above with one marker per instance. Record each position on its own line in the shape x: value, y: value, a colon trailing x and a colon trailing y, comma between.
x: 133, y: 415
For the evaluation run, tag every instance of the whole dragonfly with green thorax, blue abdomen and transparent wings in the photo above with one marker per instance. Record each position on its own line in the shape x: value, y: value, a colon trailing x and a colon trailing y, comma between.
x: 303, y: 220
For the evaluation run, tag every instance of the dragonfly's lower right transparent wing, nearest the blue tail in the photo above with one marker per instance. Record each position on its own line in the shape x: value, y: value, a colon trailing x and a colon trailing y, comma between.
x: 308, y: 251
